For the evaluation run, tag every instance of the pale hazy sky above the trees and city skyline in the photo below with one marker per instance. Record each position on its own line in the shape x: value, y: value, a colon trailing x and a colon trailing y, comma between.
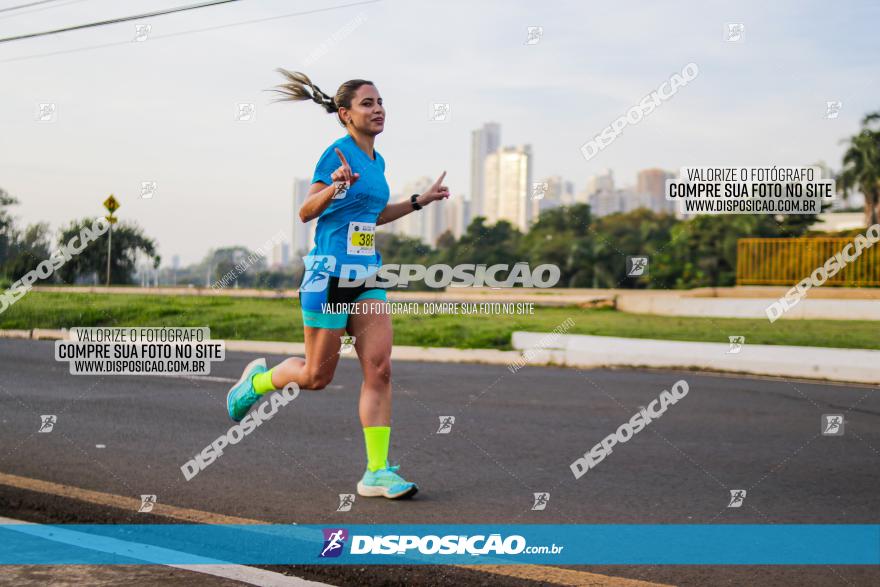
x: 163, y: 110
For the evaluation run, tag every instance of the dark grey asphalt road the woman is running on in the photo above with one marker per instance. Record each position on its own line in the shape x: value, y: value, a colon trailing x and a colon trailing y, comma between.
x: 514, y: 435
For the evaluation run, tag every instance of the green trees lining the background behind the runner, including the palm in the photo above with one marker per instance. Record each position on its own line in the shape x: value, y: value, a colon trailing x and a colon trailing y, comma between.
x: 590, y: 251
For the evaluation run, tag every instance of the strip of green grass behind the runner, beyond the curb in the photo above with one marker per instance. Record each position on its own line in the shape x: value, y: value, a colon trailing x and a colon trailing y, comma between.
x: 280, y: 320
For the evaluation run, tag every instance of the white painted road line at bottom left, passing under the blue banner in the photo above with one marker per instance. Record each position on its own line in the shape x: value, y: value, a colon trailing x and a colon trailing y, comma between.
x: 245, y: 574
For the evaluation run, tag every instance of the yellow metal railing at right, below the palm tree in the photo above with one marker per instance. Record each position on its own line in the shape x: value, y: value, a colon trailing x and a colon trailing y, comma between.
x: 785, y: 261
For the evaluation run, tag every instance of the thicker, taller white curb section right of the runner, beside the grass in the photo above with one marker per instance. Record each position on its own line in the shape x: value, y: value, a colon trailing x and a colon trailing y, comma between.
x: 847, y: 365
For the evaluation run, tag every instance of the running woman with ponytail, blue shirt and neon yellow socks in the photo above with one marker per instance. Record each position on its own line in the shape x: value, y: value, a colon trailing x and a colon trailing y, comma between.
x: 349, y: 197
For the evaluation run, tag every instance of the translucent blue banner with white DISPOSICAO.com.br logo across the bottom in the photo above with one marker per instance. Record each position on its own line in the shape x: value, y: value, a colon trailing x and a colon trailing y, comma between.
x: 617, y: 544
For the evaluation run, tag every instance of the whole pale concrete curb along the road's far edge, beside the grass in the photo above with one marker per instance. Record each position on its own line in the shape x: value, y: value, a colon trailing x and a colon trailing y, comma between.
x: 592, y: 352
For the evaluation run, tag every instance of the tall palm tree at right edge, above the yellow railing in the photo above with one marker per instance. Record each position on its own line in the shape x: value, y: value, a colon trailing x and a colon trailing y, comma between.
x: 861, y: 167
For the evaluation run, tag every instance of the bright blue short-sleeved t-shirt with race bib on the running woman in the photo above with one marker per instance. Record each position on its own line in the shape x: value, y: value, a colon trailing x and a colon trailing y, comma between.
x: 346, y: 228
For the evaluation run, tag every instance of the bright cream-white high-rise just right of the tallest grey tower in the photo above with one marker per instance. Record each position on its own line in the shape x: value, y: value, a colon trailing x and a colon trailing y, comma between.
x: 507, y: 186
